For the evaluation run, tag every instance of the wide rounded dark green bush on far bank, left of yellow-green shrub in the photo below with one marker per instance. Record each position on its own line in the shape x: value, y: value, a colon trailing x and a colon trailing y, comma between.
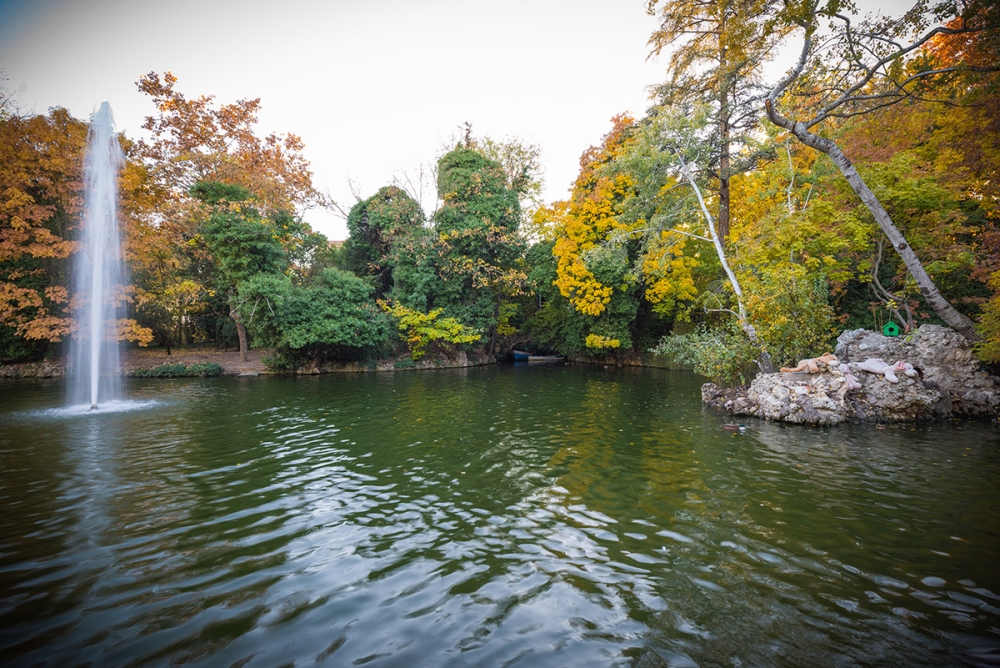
x: 331, y: 317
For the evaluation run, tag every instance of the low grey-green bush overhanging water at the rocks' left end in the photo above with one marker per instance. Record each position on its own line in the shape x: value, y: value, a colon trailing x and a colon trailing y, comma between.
x: 722, y: 354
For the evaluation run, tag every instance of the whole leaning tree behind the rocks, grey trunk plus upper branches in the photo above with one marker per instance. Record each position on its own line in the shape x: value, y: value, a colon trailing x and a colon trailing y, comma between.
x: 864, y: 66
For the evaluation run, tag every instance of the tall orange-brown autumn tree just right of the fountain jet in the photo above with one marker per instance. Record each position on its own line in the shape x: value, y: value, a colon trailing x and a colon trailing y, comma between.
x: 198, y: 140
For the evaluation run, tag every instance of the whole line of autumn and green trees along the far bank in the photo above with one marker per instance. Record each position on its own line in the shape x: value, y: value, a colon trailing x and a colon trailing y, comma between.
x: 736, y: 226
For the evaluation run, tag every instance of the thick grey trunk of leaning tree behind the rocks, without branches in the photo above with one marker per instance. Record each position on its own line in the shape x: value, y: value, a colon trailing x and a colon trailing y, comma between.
x: 928, y: 289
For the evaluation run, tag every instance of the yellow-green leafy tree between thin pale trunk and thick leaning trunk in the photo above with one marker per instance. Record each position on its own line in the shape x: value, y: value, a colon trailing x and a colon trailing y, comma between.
x: 794, y: 247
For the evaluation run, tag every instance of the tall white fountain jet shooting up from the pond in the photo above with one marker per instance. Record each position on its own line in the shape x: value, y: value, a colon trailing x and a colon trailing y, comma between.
x: 98, y: 273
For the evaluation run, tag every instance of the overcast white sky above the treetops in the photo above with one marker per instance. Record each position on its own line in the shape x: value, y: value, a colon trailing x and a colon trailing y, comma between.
x: 373, y: 88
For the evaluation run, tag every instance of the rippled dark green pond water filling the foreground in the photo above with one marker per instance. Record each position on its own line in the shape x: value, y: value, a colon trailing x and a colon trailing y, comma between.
x: 560, y: 516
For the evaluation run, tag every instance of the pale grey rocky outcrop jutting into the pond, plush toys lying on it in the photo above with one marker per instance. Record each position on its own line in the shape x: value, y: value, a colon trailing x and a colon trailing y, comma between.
x: 930, y: 374
